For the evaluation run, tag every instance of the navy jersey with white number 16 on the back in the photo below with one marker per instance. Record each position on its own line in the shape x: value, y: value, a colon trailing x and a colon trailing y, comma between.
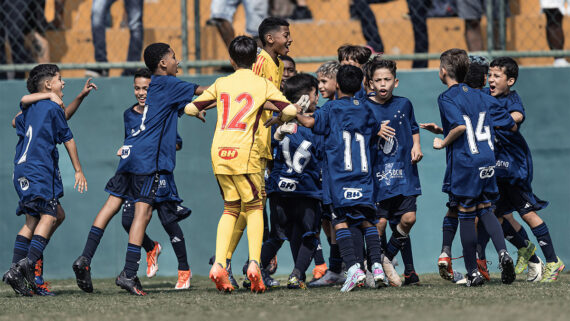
x: 297, y: 161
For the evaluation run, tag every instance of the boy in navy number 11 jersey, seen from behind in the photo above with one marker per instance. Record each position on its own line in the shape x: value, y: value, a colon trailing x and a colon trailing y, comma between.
x: 349, y: 127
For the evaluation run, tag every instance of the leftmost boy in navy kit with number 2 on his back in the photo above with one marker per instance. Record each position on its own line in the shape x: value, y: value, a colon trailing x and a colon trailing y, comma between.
x: 36, y: 175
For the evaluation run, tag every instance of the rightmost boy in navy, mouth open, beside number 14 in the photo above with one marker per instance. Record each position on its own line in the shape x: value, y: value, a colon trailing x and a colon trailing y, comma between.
x: 514, y: 172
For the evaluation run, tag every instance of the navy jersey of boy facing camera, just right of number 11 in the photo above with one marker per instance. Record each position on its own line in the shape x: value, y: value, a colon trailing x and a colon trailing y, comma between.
x: 394, y: 173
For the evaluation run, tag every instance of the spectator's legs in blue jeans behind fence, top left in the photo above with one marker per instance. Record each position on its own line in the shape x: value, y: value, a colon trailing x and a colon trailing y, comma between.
x: 99, y: 10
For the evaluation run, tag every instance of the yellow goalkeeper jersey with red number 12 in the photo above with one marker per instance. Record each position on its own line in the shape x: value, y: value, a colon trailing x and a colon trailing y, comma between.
x: 239, y: 99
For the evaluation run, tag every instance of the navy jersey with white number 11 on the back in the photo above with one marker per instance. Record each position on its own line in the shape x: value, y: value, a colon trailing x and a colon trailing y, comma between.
x: 348, y: 126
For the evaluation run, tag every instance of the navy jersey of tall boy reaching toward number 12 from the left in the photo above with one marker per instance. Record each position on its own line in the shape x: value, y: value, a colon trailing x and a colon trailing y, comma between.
x: 152, y: 146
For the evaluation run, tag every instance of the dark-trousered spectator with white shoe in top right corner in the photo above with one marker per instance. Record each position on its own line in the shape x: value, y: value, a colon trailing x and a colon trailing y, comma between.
x: 554, y: 10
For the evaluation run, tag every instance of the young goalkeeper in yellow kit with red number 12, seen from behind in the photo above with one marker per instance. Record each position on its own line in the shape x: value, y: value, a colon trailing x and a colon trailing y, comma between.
x: 236, y: 154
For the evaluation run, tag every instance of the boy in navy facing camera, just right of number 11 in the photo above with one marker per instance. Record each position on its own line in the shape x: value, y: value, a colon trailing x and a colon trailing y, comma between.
x: 395, y: 170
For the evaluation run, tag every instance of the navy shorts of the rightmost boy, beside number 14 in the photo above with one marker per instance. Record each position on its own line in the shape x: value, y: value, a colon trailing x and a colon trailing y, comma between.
x: 513, y: 198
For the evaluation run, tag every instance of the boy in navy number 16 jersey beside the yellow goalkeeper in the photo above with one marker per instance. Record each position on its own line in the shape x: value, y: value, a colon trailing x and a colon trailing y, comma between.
x: 294, y: 188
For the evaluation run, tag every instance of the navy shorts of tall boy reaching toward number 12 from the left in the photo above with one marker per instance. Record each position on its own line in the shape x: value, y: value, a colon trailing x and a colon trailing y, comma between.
x: 136, y: 188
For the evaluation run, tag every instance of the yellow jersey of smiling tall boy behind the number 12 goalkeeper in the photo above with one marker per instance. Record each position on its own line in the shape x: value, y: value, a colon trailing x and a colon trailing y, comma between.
x: 266, y: 68
